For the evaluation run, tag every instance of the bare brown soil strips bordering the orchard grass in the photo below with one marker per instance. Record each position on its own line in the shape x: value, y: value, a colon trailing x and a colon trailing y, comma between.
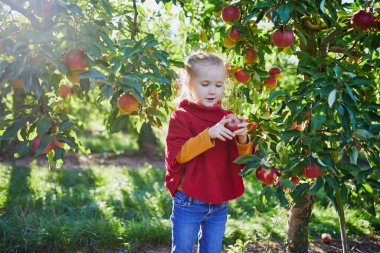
x: 362, y: 245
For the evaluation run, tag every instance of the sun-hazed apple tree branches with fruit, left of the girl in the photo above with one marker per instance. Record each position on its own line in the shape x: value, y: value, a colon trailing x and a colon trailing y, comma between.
x: 56, y: 51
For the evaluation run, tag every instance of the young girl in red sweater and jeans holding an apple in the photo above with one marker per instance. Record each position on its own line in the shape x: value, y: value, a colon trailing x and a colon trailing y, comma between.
x: 200, y: 150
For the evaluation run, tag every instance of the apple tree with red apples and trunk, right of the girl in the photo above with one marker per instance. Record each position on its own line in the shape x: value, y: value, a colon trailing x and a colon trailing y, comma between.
x: 307, y: 75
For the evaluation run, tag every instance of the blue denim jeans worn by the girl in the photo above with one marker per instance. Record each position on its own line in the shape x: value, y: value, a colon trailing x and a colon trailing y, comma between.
x: 191, y: 218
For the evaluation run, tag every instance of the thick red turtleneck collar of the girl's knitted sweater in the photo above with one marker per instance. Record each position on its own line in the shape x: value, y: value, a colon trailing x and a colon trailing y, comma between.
x: 212, y: 114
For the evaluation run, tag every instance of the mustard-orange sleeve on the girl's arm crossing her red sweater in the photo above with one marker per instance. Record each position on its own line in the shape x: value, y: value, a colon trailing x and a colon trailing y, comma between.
x: 194, y: 147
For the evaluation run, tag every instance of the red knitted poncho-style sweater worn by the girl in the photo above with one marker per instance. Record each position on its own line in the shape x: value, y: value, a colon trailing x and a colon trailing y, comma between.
x: 211, y: 176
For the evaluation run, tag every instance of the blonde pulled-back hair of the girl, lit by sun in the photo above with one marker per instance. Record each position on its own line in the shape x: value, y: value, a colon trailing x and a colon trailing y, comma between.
x: 196, y: 59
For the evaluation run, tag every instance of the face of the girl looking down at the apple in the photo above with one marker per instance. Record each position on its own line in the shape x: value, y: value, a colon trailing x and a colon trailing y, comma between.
x: 207, y: 85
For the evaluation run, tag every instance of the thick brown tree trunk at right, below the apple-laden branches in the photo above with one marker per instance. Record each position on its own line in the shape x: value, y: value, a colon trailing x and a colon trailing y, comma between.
x: 298, y: 220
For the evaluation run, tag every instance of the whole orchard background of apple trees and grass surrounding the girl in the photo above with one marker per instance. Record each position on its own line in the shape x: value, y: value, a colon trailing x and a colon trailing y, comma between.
x: 84, y: 84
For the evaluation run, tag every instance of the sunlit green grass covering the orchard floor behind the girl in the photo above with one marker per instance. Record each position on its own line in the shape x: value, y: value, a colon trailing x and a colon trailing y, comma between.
x: 108, y: 209
